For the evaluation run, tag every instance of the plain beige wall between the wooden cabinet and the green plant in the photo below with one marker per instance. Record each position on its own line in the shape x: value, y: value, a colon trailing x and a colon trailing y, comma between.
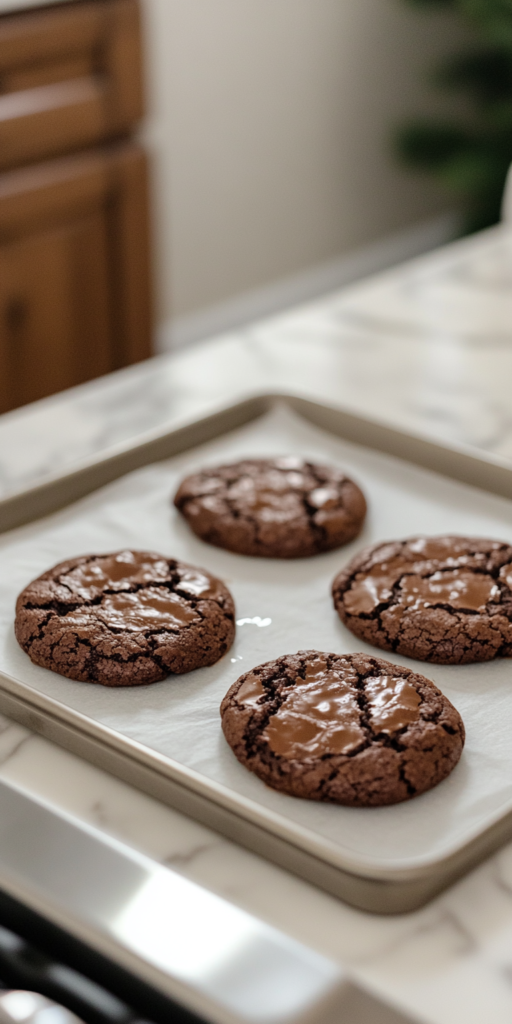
x: 271, y: 123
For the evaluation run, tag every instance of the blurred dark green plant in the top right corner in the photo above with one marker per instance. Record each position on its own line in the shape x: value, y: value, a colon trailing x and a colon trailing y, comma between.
x: 472, y: 155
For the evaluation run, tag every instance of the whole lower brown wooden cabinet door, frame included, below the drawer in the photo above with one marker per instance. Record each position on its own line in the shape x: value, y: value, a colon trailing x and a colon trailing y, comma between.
x: 74, y: 274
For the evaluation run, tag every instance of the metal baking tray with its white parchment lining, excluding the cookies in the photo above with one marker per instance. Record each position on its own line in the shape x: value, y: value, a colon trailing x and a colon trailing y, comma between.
x: 166, y: 739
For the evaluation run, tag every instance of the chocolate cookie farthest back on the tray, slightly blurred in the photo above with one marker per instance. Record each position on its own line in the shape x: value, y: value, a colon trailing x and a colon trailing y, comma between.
x: 276, y: 508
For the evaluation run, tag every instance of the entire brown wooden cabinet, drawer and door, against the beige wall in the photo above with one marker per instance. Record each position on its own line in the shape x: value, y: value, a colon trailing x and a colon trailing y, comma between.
x: 75, y: 285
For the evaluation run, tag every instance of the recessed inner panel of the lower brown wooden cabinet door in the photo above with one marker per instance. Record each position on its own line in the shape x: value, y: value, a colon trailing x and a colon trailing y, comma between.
x: 55, y: 329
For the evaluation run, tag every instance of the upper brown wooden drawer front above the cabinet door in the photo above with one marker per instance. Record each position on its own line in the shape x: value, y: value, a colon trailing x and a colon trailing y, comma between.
x: 70, y: 77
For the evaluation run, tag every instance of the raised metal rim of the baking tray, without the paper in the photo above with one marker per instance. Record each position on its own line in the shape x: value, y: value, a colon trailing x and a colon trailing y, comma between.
x: 72, y: 730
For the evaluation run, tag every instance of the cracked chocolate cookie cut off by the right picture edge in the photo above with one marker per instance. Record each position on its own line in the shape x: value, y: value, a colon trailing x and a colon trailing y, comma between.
x: 444, y: 600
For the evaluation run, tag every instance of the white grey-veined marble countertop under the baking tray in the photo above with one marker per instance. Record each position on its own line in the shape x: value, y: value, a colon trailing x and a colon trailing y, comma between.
x: 428, y: 347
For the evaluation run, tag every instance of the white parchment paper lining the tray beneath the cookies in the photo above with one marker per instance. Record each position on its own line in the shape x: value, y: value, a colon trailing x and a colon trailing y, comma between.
x: 281, y: 608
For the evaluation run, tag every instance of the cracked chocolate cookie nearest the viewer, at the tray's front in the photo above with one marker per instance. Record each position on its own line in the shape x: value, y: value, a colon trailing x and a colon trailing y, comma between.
x: 346, y: 729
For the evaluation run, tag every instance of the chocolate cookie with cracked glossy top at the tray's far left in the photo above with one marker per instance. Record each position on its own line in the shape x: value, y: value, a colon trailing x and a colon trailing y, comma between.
x: 125, y: 619
